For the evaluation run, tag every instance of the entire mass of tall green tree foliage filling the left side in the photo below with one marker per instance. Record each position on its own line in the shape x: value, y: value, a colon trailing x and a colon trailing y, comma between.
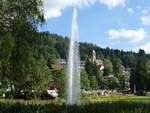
x: 20, y: 62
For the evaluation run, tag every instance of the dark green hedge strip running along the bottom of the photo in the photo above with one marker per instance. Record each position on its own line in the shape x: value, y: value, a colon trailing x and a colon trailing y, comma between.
x: 103, y: 107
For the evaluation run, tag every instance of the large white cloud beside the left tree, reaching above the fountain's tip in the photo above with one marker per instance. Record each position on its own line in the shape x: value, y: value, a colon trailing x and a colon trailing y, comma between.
x: 53, y: 8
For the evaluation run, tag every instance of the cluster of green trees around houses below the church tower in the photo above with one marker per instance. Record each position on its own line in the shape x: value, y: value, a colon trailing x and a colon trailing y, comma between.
x: 97, y: 76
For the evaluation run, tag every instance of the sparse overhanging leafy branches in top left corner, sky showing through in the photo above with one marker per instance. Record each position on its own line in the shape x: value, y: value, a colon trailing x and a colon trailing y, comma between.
x: 13, y: 11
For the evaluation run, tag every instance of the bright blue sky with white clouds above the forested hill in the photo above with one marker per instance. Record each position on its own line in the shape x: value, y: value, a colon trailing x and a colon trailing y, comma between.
x: 118, y: 24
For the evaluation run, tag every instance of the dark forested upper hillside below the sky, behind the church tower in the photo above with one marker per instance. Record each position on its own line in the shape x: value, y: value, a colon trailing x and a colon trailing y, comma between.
x: 52, y: 44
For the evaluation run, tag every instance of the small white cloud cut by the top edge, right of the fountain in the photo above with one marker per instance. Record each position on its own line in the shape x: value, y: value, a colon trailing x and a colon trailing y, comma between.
x: 113, y: 3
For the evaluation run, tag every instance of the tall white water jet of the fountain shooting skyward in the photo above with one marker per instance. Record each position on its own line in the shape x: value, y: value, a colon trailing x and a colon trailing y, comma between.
x: 73, y: 75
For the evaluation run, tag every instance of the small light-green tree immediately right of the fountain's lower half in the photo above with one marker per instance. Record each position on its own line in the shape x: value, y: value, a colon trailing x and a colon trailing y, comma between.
x: 85, y: 82
